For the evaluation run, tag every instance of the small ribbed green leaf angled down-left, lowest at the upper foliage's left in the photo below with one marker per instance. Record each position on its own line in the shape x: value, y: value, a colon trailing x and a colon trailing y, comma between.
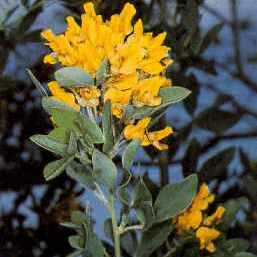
x: 55, y: 168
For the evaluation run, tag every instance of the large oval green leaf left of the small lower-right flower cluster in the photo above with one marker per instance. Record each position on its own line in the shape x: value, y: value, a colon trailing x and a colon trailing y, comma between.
x: 175, y: 198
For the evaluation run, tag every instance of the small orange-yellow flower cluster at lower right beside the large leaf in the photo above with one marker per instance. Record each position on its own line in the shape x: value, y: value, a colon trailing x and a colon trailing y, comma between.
x: 194, y: 219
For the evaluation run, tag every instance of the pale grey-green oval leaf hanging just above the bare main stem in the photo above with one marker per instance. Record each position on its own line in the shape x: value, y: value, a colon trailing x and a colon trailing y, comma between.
x: 104, y: 170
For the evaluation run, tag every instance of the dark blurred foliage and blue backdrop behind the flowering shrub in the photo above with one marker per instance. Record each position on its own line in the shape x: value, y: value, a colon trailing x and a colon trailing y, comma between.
x: 214, y: 46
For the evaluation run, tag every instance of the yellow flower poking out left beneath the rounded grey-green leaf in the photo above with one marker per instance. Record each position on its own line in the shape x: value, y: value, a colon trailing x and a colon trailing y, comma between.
x: 61, y: 95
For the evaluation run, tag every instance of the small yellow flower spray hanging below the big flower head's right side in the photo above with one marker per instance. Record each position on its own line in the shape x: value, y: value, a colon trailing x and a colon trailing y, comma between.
x: 139, y: 132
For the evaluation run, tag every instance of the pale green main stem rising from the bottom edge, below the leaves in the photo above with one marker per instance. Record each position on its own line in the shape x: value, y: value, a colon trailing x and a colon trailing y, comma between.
x: 115, y: 228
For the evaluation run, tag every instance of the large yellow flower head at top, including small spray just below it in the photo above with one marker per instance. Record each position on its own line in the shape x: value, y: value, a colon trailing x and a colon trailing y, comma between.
x: 137, y: 62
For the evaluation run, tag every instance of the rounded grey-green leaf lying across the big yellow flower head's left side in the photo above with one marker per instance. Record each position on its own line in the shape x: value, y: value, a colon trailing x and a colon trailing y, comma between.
x: 70, y: 77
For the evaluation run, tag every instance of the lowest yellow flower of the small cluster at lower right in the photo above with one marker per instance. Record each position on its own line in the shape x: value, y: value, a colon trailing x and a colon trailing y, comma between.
x: 206, y: 237
